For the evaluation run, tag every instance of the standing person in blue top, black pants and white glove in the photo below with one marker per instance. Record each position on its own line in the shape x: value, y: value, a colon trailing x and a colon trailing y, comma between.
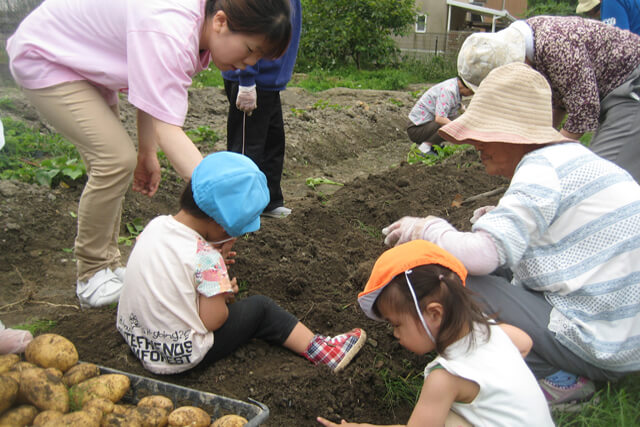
x: 255, y: 126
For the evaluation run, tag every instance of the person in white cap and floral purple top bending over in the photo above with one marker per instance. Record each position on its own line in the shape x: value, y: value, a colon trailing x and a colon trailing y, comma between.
x: 593, y: 70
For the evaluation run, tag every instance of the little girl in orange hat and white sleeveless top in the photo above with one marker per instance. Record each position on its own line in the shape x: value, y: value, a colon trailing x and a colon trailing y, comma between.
x: 479, y: 372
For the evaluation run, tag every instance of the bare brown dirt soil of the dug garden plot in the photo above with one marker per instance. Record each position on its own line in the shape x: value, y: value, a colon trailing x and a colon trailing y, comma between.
x: 313, y: 263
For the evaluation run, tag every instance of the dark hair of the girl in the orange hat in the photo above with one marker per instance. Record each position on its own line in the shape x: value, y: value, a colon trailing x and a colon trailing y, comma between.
x: 435, y: 283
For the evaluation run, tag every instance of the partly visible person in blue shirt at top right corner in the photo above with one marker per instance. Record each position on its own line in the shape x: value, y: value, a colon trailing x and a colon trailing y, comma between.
x: 624, y: 14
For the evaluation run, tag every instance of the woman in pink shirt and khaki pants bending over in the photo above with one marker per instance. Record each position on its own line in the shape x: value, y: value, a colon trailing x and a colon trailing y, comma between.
x: 73, y: 57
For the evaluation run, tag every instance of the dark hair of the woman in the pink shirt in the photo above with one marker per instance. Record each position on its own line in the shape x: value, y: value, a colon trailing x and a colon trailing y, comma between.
x: 270, y: 18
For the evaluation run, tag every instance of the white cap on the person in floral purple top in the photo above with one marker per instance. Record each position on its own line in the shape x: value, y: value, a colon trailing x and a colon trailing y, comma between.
x: 482, y: 52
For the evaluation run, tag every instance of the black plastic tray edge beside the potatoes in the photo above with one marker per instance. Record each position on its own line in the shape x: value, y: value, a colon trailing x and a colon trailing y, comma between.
x: 216, y: 406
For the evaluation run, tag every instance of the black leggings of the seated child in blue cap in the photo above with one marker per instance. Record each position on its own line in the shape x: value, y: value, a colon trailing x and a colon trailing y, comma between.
x: 257, y: 316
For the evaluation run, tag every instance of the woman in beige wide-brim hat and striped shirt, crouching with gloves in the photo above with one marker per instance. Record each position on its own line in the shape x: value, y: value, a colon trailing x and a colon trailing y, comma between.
x: 567, y: 231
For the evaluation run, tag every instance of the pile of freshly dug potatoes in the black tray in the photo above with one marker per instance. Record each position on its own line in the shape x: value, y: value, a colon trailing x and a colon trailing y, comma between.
x: 51, y: 388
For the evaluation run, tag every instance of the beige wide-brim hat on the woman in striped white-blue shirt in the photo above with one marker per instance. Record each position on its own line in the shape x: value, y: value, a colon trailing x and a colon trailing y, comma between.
x: 512, y: 105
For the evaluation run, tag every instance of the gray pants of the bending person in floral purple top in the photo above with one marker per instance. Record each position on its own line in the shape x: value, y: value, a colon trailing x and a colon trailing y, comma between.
x: 618, y: 136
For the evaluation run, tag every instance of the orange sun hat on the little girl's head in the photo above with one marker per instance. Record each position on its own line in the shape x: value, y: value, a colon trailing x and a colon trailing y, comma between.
x: 400, y: 259
